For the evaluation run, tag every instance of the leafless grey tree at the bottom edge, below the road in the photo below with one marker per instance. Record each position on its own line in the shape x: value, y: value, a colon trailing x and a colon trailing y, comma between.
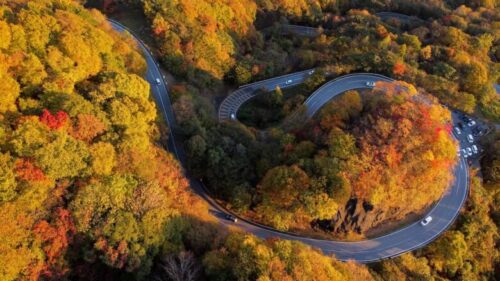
x: 180, y: 267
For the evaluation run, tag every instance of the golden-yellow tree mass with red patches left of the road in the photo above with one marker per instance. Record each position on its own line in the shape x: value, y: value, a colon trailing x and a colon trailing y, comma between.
x: 76, y: 102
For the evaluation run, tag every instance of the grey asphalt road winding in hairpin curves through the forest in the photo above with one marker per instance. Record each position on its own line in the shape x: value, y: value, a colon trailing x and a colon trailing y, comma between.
x: 396, y: 243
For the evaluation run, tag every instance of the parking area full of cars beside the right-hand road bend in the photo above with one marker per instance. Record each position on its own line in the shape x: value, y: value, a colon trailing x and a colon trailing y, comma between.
x: 468, y: 131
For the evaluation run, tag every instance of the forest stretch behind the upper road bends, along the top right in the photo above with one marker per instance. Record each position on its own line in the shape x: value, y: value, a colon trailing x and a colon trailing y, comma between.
x: 450, y: 55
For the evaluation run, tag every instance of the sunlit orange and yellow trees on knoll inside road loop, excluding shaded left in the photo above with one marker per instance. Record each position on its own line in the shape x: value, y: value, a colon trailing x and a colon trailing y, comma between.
x: 379, y: 149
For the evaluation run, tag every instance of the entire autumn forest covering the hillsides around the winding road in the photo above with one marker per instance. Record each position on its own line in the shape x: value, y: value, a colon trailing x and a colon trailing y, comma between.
x: 88, y: 190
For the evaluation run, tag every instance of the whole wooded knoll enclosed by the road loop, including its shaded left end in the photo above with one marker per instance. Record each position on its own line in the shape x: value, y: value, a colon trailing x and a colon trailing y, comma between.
x: 373, y: 150
